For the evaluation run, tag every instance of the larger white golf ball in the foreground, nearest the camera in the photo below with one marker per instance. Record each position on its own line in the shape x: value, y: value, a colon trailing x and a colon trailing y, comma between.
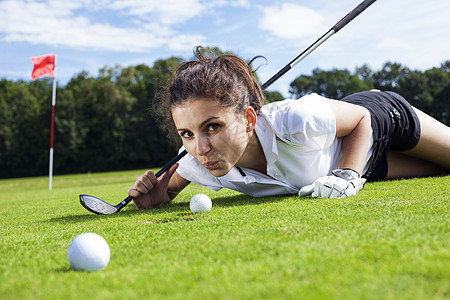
x: 88, y: 252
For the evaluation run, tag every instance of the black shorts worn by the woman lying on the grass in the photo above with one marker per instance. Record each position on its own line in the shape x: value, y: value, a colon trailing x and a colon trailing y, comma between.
x: 395, y: 126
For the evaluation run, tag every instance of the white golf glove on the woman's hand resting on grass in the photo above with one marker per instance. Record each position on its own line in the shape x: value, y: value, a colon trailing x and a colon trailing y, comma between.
x: 343, y: 183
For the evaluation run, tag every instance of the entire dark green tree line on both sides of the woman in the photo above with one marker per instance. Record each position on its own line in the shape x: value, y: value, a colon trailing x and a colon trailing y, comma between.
x: 106, y: 123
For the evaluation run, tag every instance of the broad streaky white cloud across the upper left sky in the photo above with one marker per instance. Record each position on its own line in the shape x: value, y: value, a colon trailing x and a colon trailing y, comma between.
x: 62, y: 23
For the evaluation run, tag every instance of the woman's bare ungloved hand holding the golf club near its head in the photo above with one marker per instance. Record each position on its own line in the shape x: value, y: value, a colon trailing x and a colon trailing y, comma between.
x: 149, y: 191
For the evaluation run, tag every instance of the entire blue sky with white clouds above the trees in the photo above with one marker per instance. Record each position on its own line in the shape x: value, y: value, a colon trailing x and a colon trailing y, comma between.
x: 87, y: 35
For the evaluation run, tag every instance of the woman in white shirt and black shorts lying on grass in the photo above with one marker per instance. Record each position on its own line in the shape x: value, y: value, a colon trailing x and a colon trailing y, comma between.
x: 312, y: 145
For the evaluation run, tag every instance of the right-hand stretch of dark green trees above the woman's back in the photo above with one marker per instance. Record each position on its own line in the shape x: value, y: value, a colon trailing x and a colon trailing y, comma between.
x: 429, y: 90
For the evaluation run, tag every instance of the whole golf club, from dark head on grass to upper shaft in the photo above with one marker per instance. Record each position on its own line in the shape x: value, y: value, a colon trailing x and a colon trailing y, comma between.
x: 98, y: 206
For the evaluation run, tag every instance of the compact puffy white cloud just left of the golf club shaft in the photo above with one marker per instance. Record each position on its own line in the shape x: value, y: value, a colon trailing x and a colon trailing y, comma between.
x: 290, y: 21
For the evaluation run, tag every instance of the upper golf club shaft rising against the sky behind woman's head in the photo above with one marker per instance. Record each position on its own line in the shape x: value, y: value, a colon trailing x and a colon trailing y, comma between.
x: 338, y: 26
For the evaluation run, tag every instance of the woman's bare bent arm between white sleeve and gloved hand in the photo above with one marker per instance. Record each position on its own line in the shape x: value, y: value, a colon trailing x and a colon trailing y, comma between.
x: 353, y: 125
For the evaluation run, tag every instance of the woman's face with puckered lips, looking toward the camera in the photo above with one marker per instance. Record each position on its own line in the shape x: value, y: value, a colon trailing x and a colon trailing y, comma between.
x: 215, y: 135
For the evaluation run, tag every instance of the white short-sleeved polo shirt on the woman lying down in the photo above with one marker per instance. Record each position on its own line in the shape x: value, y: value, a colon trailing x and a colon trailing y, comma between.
x: 298, y: 140
